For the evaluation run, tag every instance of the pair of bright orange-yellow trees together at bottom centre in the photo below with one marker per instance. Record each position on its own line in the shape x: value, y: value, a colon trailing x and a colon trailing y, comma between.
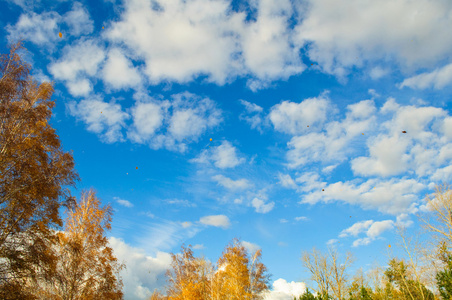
x: 237, y: 276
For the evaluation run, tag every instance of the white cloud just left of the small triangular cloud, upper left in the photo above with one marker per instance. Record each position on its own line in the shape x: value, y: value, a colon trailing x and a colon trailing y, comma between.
x: 79, y: 61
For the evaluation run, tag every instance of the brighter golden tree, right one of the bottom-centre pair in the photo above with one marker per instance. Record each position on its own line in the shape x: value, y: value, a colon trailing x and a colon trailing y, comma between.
x: 239, y: 276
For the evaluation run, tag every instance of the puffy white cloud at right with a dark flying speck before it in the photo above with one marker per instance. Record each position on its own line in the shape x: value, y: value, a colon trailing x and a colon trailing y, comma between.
x: 393, y: 152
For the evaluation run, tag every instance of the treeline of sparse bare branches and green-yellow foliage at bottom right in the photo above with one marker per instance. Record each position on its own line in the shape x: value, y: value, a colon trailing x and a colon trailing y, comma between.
x: 425, y: 273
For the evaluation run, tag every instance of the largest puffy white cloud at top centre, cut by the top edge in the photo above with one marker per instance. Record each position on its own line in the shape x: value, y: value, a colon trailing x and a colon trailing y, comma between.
x: 180, y: 41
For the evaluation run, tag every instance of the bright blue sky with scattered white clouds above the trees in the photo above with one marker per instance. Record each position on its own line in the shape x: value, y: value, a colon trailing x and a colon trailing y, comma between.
x: 279, y: 122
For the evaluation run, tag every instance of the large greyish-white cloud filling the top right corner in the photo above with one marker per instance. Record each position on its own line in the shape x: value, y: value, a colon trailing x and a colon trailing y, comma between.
x: 340, y: 36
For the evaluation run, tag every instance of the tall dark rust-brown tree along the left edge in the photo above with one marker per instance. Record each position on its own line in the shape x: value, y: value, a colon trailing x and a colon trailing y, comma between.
x: 34, y: 171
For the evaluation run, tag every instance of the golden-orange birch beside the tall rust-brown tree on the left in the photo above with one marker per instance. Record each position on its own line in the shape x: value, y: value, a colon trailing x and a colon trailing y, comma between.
x: 86, y: 266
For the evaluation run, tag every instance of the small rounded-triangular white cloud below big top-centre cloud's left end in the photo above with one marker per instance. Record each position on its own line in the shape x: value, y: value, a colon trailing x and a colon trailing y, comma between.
x: 118, y: 71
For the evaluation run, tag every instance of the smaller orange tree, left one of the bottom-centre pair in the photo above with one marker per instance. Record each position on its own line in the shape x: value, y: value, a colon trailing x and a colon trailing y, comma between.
x: 189, y: 277
